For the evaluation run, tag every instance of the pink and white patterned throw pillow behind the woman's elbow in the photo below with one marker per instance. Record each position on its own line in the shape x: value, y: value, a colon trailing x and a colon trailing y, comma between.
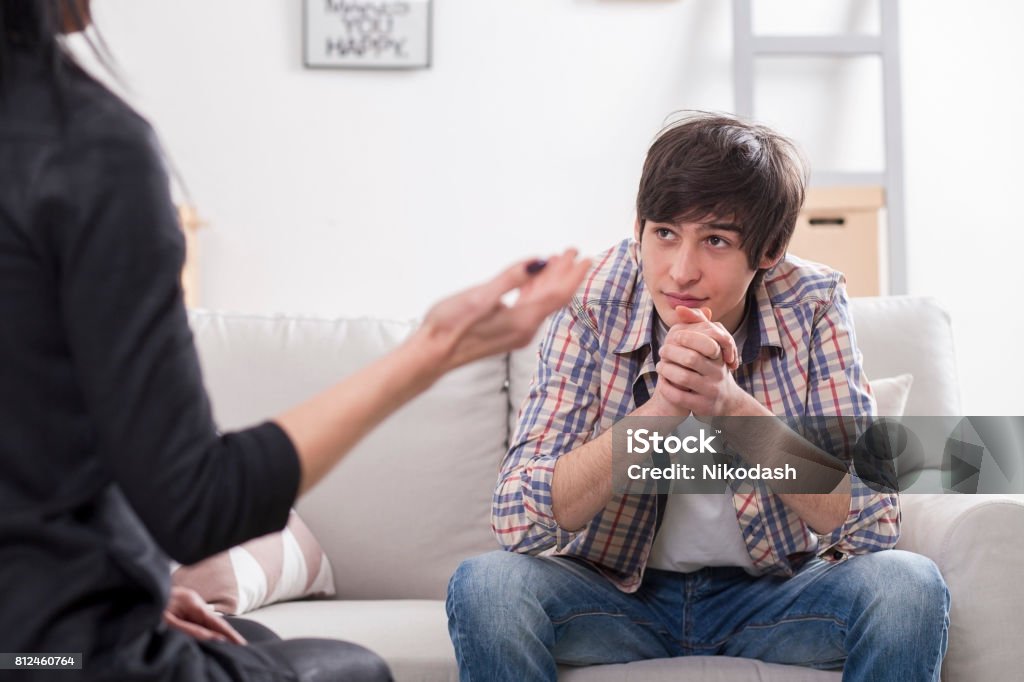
x: 280, y: 567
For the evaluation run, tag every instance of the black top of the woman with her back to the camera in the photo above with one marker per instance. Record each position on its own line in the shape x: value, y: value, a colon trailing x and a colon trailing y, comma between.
x: 110, y: 460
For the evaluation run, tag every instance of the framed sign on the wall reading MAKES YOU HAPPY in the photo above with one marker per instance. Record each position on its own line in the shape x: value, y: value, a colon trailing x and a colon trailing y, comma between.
x: 367, y: 34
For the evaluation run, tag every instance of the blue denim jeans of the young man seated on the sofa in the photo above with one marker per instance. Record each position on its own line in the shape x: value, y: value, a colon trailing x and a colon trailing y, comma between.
x: 878, y: 617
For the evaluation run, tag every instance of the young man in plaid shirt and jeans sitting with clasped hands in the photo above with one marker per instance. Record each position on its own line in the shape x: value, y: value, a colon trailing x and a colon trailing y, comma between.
x: 592, y: 576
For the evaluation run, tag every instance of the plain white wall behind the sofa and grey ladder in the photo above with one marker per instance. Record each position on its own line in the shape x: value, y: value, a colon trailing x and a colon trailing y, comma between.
x: 374, y: 193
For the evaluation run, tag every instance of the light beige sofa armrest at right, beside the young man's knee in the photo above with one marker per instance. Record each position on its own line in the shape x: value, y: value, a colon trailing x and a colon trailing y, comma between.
x: 977, y: 541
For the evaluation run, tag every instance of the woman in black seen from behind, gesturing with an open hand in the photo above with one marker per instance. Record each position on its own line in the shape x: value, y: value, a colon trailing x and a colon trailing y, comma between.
x: 110, y: 460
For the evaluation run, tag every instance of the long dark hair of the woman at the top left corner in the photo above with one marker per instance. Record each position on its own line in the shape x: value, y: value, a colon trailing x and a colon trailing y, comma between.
x: 38, y: 27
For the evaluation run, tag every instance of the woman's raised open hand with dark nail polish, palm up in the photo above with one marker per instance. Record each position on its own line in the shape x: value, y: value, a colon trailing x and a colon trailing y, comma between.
x: 476, y: 323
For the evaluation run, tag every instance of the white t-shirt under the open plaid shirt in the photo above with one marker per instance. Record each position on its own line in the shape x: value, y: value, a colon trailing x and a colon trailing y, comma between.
x: 700, y: 530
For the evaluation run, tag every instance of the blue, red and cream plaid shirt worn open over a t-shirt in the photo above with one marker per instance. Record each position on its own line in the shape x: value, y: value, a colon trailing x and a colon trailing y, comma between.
x: 800, y: 360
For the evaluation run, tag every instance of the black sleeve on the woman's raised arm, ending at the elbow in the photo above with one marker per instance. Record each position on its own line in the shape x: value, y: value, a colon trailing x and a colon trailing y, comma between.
x: 105, y: 211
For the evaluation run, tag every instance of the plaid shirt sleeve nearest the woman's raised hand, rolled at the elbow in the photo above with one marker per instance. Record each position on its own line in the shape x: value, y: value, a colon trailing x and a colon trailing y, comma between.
x: 558, y: 417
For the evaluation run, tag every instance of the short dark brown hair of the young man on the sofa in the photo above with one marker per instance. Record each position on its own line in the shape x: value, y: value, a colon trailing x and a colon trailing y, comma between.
x: 713, y: 165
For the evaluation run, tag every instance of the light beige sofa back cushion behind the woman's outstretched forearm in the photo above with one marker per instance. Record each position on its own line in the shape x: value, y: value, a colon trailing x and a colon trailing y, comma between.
x: 413, y: 499
